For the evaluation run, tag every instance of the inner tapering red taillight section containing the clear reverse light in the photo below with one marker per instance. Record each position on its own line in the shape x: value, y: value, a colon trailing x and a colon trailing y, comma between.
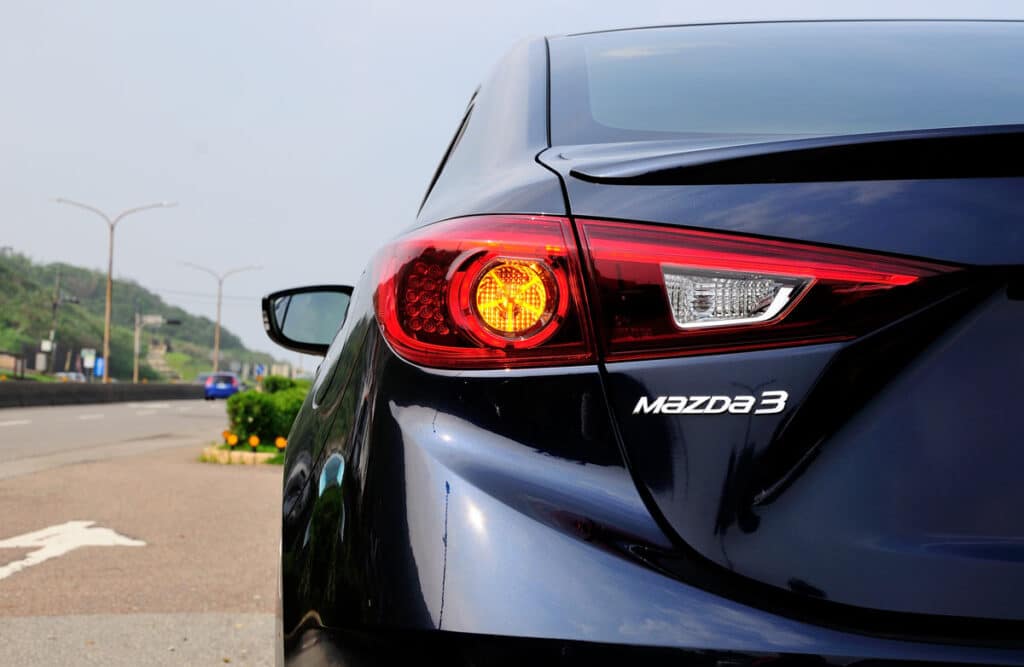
x: 665, y: 293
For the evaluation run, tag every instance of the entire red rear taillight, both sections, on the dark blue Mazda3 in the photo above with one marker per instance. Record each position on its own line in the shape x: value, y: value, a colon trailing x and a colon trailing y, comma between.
x: 507, y: 291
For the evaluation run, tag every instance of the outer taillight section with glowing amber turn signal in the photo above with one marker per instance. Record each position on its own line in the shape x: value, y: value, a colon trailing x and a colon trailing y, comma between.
x: 485, y: 293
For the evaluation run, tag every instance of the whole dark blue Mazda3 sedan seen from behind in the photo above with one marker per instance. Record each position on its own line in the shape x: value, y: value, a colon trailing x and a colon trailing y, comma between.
x: 706, y: 348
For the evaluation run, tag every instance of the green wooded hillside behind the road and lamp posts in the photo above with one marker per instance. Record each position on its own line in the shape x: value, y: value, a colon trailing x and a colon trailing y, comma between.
x: 26, y: 318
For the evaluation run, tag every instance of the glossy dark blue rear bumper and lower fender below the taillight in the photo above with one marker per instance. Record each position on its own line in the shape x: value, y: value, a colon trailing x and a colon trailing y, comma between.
x: 475, y: 517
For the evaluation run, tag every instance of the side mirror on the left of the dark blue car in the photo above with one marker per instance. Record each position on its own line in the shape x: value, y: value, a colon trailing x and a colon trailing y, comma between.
x: 307, y: 319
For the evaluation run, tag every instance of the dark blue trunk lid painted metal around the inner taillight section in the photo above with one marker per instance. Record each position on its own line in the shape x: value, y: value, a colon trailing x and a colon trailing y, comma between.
x: 890, y: 480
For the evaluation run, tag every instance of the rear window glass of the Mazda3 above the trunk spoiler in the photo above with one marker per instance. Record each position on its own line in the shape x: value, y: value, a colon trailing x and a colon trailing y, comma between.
x: 786, y: 79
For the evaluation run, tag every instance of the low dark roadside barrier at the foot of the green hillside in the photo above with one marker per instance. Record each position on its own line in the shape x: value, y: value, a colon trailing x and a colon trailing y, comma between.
x: 16, y: 394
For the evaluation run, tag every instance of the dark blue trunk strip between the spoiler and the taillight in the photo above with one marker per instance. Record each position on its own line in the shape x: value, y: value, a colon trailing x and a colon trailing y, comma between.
x: 970, y: 222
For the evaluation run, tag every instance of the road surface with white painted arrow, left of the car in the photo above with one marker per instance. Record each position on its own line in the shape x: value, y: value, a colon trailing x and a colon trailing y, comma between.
x: 118, y: 548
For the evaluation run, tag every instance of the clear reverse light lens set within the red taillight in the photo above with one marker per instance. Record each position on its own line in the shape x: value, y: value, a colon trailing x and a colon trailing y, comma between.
x: 715, y: 299
